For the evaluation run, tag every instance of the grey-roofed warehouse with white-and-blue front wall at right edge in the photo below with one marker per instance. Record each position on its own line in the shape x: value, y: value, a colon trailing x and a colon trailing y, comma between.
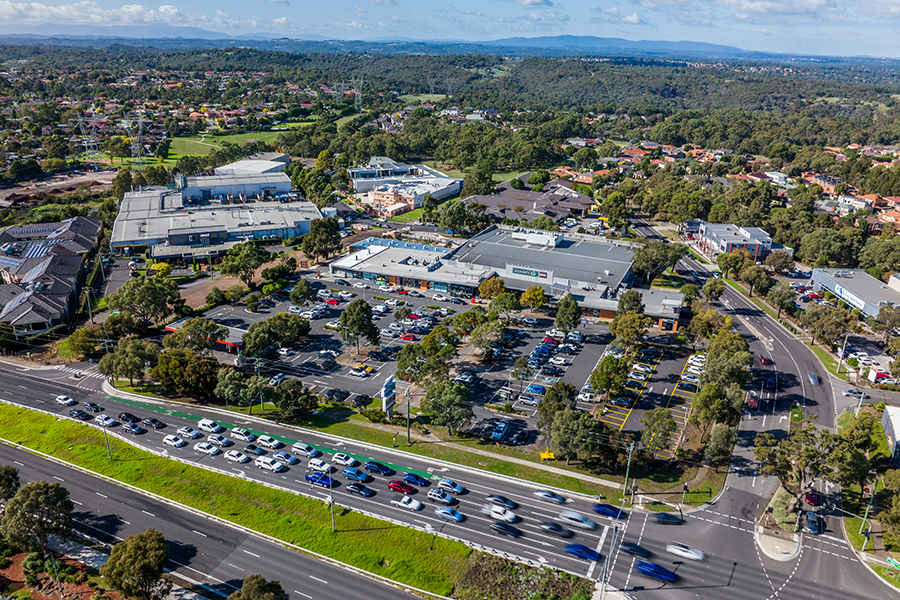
x: 858, y: 289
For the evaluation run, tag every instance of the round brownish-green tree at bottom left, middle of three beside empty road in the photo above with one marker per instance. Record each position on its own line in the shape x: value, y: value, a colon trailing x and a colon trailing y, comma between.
x: 137, y: 565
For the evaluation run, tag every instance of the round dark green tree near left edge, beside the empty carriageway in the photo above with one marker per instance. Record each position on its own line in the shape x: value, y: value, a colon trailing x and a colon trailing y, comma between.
x: 37, y: 512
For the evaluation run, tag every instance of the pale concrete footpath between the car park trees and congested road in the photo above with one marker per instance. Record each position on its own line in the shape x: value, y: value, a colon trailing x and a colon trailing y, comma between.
x: 107, y: 388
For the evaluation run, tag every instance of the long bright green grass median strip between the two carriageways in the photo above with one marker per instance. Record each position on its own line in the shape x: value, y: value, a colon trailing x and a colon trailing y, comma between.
x: 414, y: 558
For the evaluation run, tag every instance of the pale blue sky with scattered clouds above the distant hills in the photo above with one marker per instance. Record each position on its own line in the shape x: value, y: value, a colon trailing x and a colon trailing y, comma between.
x: 823, y: 27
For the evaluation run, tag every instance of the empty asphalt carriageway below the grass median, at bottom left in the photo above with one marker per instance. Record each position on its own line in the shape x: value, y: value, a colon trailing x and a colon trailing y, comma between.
x: 202, y: 550
